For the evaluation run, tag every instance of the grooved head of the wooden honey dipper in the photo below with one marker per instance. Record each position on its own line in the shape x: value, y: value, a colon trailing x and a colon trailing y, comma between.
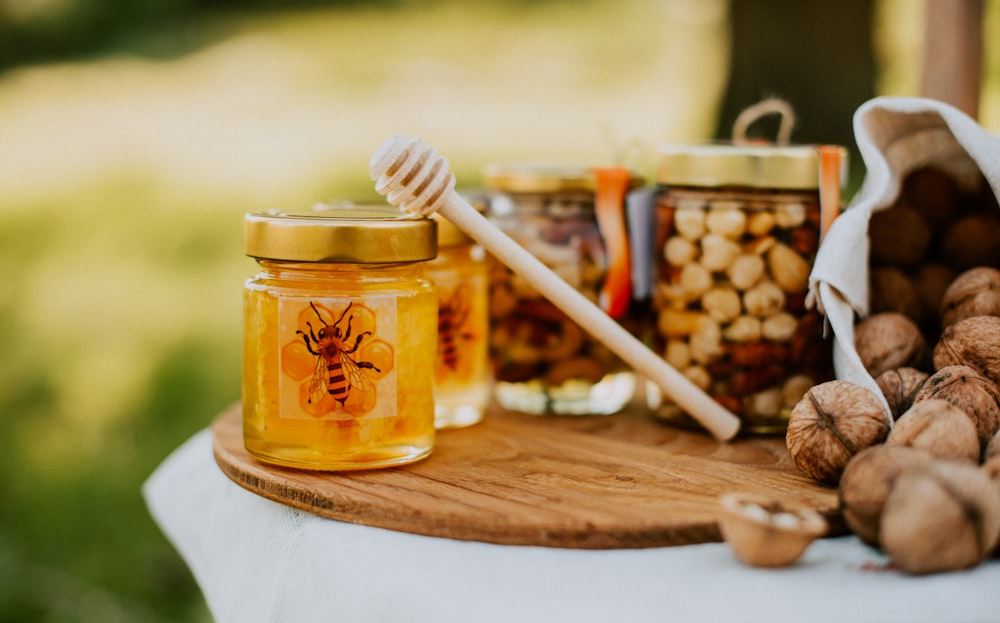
x: 411, y: 175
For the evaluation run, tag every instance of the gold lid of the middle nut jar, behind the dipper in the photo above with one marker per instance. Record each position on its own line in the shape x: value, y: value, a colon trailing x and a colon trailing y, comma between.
x: 534, y: 178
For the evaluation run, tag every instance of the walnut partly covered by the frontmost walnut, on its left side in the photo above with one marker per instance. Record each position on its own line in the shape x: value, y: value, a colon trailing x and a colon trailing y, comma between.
x: 866, y: 483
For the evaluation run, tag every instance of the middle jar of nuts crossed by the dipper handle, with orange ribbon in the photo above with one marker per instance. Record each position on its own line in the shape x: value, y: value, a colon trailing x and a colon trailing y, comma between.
x: 543, y: 362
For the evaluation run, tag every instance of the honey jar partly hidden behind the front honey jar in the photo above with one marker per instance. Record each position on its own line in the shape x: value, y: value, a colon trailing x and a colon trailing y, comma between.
x: 462, y: 372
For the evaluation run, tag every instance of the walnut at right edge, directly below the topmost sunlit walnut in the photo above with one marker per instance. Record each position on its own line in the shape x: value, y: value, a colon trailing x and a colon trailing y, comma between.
x: 973, y: 342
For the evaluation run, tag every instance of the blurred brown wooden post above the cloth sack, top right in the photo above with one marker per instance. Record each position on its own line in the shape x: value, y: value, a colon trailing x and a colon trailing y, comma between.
x: 953, y: 47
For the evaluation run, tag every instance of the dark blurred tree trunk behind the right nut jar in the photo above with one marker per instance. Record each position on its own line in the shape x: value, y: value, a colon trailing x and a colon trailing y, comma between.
x: 815, y: 54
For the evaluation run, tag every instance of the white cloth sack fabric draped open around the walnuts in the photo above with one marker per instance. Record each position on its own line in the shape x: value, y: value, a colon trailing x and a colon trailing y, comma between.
x: 895, y: 135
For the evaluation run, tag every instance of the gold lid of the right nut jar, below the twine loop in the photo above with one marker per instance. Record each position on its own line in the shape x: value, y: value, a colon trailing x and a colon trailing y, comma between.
x: 779, y: 167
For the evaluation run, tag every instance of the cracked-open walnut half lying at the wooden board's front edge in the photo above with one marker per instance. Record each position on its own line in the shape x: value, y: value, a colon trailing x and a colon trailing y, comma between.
x: 766, y: 533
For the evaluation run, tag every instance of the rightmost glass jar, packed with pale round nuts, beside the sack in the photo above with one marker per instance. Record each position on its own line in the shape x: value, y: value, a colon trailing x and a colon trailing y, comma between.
x: 737, y: 230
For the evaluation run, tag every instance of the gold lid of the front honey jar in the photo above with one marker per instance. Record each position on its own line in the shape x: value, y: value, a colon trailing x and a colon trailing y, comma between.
x: 353, y: 234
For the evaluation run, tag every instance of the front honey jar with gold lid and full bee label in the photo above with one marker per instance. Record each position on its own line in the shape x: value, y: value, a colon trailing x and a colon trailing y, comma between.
x: 338, y: 327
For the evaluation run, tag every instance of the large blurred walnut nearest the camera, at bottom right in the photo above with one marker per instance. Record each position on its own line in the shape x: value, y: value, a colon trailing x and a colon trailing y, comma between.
x: 941, y: 517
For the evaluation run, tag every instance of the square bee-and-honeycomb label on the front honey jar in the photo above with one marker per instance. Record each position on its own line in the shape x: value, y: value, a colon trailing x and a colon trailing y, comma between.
x: 337, y: 357
